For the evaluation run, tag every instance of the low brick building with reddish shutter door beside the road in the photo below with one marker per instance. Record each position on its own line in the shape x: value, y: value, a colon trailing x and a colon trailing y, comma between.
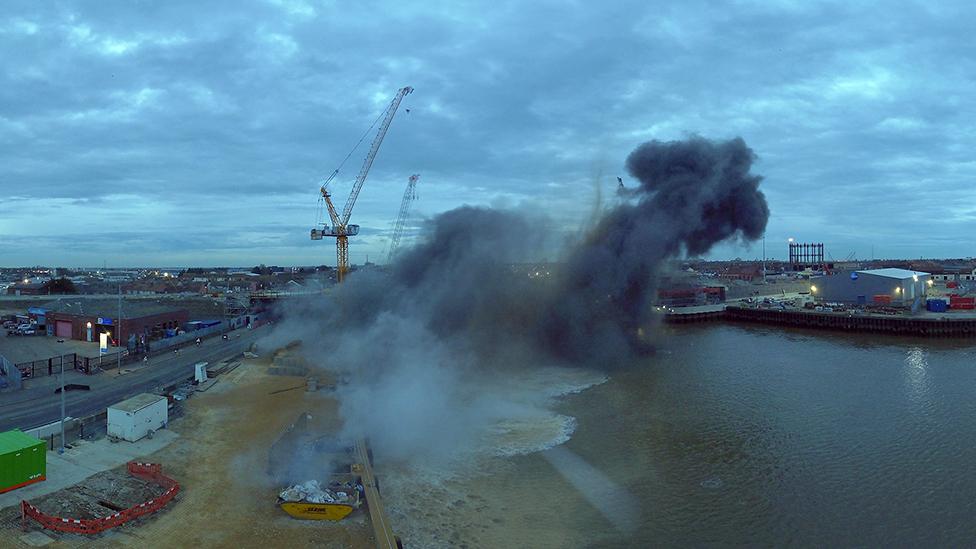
x: 85, y: 319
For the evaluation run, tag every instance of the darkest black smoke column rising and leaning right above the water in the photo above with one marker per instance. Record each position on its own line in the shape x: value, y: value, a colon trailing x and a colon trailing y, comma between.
x: 692, y: 195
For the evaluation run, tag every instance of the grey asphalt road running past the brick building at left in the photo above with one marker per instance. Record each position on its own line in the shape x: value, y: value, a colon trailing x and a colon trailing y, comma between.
x: 19, y: 411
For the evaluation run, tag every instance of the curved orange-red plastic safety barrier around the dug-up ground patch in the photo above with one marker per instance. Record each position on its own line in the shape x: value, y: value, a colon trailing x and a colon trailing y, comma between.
x: 150, y: 472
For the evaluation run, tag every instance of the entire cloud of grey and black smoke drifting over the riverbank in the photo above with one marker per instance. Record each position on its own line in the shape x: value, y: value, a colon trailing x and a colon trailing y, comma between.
x: 448, y: 349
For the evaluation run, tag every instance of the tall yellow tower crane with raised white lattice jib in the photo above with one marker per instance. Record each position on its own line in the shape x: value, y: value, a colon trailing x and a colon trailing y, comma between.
x: 340, y: 227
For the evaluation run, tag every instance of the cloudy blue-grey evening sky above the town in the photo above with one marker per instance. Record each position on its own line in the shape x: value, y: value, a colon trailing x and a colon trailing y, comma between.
x: 190, y: 133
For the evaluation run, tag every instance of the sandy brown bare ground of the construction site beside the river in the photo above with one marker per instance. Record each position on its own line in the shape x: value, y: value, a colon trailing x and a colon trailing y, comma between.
x: 220, y: 459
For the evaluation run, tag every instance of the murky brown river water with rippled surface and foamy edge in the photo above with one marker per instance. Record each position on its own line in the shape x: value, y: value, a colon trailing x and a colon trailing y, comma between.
x: 735, y: 435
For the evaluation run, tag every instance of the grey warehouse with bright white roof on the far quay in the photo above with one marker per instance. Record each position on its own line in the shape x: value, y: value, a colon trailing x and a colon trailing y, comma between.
x: 872, y: 286
